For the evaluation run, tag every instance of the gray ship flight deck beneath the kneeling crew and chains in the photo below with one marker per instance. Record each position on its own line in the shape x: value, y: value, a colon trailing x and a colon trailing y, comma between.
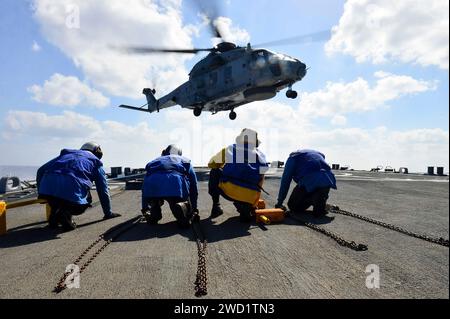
x: 244, y: 261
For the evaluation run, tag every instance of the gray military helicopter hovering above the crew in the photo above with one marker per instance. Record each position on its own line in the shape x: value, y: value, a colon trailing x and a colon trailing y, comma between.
x: 229, y: 76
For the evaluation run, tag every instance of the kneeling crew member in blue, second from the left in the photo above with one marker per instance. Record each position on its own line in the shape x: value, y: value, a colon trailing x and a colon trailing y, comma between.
x: 170, y: 178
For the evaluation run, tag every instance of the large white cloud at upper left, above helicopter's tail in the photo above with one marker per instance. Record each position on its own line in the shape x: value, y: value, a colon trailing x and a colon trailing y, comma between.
x: 107, y: 23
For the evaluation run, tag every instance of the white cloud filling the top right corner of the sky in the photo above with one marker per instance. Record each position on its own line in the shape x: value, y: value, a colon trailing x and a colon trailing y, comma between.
x: 413, y: 31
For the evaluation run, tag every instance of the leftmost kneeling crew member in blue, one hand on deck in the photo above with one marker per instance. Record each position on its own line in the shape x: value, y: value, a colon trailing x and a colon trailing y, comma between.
x: 66, y: 180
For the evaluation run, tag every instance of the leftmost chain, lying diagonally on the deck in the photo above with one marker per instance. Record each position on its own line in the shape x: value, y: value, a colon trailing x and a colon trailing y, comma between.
x: 133, y: 222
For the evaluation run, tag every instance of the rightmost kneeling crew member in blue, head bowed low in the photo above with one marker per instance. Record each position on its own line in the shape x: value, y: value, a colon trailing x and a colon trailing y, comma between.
x: 314, y: 179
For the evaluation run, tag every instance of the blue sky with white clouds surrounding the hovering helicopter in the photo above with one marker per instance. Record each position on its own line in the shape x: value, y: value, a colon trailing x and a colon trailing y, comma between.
x: 373, y: 95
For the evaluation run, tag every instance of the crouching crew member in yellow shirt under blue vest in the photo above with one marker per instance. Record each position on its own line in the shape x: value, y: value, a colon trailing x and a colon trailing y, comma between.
x: 237, y: 174
